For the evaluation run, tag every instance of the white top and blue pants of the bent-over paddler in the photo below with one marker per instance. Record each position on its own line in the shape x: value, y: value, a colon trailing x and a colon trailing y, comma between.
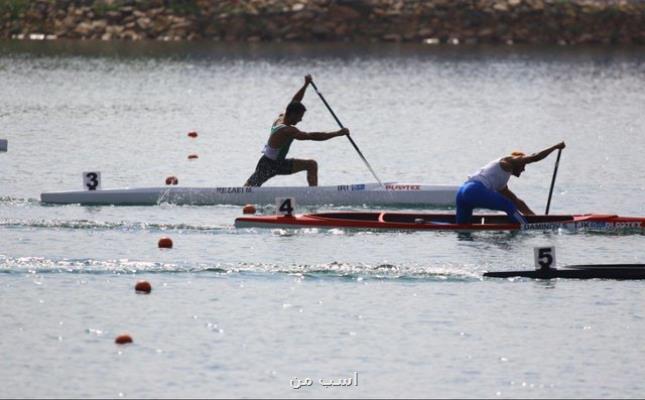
x: 481, y: 190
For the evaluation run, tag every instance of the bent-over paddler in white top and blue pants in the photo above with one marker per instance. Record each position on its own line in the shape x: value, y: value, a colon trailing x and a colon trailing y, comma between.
x: 488, y: 187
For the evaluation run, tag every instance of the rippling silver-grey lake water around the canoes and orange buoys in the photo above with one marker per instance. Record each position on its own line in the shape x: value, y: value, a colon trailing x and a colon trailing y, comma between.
x: 250, y: 313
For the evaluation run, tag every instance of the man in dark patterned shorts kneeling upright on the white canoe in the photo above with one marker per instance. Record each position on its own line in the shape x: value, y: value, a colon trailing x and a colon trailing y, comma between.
x: 283, y: 132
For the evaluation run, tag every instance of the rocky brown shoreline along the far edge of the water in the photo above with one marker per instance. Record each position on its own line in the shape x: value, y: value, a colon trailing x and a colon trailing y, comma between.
x: 406, y: 21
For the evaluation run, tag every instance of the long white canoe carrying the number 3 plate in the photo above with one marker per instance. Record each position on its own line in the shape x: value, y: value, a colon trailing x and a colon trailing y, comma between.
x: 390, y: 194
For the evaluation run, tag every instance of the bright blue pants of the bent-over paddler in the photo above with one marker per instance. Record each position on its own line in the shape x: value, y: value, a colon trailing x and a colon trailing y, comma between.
x: 473, y: 194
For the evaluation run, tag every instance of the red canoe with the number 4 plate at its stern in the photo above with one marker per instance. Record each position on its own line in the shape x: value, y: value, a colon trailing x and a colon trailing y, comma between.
x: 442, y: 222
